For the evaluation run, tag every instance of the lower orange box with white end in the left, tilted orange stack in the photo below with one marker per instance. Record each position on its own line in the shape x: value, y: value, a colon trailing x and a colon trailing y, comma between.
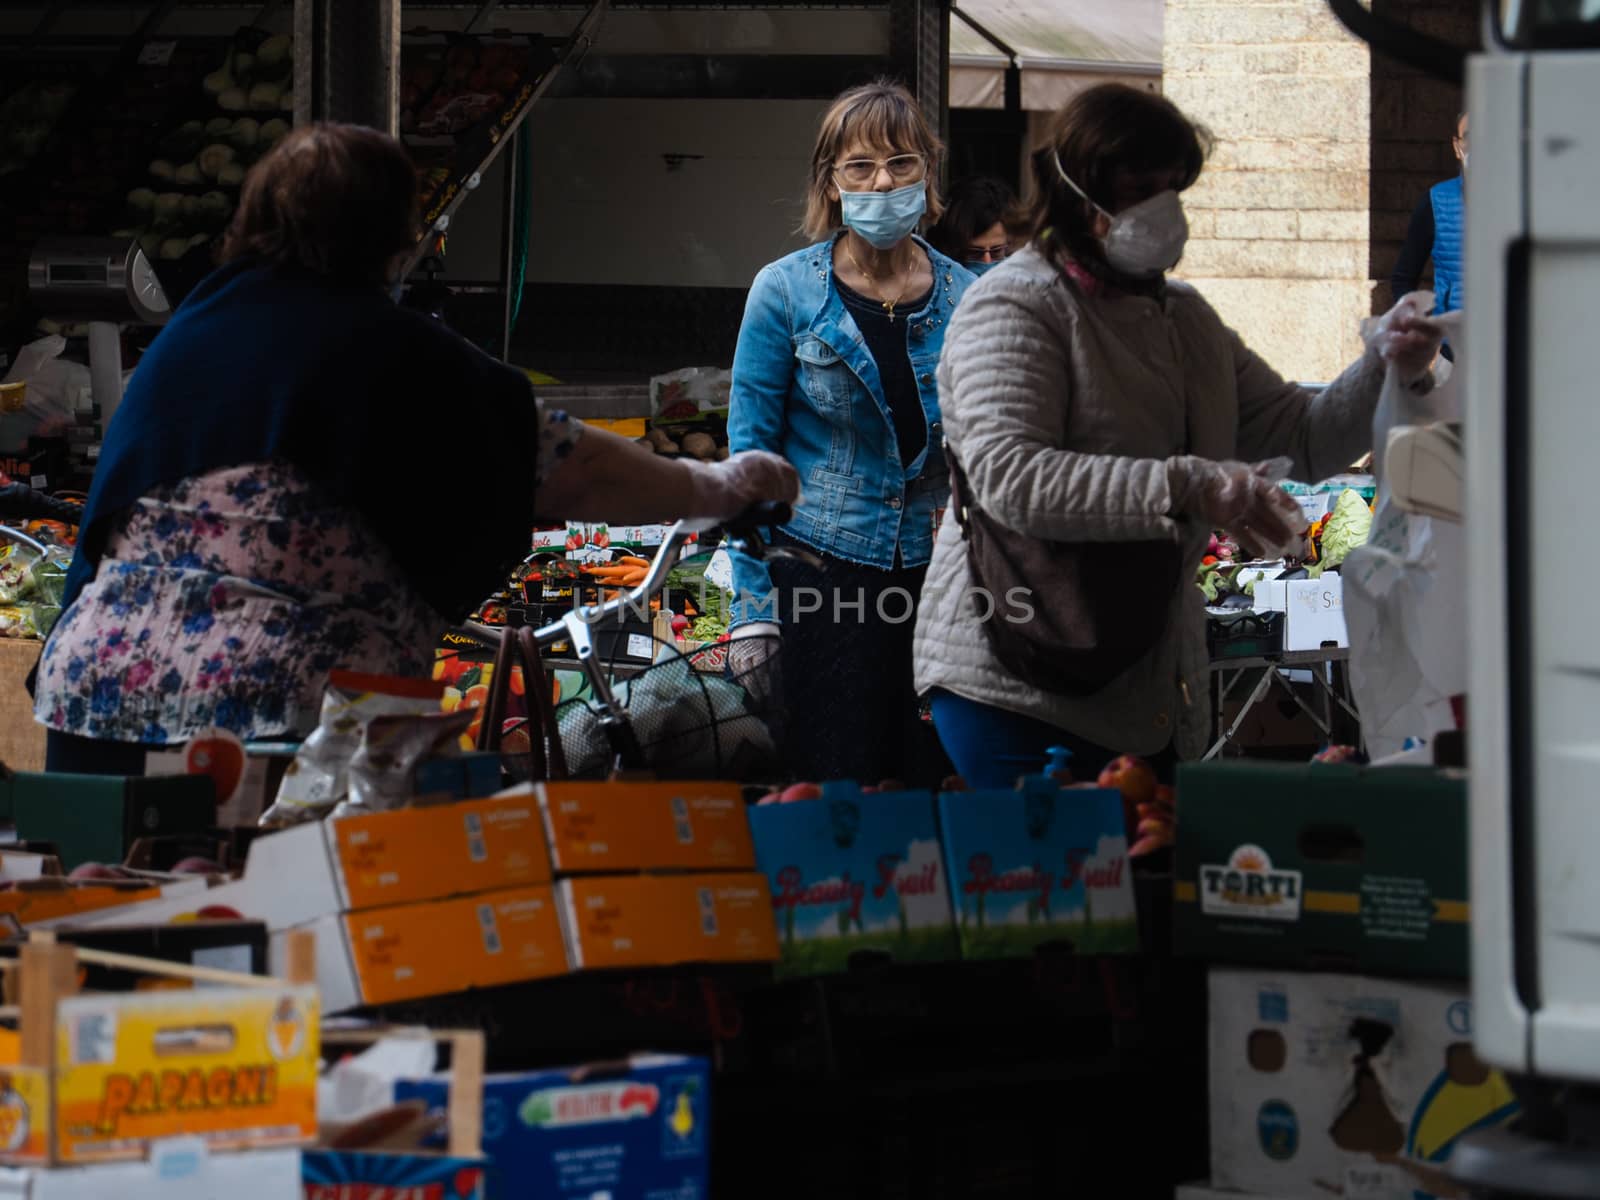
x: 414, y: 951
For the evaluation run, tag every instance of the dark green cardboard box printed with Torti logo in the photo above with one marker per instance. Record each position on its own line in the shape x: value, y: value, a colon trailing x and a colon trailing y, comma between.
x: 1324, y: 866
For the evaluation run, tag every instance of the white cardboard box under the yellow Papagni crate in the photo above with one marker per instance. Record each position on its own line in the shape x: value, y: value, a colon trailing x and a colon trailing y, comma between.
x: 177, y: 1170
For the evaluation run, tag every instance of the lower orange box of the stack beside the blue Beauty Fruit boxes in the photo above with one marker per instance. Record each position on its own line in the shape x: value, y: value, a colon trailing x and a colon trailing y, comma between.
x: 658, y: 921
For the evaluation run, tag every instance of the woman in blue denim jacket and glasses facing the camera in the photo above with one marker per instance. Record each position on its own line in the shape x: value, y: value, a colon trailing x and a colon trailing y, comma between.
x: 836, y: 372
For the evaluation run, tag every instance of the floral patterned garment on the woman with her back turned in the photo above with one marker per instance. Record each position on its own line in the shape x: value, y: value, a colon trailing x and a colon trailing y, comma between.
x: 225, y: 602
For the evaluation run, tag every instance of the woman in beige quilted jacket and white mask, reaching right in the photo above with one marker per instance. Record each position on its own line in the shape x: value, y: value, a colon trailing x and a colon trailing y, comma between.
x: 1089, y: 401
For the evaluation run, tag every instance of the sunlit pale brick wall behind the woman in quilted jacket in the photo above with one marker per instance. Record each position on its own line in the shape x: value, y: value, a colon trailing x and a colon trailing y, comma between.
x: 1281, y: 220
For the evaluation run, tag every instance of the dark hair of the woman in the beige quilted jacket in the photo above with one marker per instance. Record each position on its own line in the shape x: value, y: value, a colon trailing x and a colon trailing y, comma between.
x: 1097, y: 135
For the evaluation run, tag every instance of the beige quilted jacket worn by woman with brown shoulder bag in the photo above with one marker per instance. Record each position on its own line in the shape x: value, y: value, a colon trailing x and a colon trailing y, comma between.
x: 1071, y: 414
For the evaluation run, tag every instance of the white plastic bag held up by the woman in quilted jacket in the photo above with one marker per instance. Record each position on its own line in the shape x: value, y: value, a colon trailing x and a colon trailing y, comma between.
x: 1404, y: 591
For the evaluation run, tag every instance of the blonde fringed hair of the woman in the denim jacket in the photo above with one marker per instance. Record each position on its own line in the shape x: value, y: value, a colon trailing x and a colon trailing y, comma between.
x: 879, y: 114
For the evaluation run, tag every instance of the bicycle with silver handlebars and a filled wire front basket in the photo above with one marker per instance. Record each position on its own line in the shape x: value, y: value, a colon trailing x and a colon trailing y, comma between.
x: 687, y: 714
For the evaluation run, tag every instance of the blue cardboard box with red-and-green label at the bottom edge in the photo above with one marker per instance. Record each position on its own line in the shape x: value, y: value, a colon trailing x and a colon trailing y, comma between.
x: 582, y: 1134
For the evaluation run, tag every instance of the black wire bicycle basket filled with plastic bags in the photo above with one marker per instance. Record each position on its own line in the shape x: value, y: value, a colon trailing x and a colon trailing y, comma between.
x: 697, y: 716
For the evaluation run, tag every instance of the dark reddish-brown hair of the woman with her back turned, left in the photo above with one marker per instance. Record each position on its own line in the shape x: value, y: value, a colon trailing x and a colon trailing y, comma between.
x: 334, y: 199
